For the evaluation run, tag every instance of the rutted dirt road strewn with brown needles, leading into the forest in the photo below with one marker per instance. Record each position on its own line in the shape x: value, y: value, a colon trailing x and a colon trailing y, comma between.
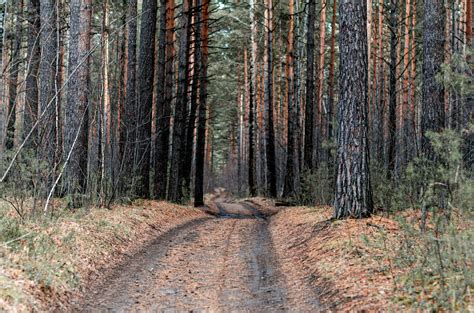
x: 225, y: 264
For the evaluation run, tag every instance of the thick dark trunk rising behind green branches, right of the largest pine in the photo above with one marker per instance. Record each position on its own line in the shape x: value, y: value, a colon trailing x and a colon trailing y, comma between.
x: 433, y: 114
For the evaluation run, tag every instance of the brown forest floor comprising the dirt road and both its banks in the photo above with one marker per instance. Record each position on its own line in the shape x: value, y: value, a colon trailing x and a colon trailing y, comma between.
x: 237, y: 256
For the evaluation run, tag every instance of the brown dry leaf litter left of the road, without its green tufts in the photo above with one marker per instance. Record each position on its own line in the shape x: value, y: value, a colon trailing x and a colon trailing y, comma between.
x: 90, y: 245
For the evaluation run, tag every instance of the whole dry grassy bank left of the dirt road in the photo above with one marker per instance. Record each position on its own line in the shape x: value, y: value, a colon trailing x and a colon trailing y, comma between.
x: 51, y: 260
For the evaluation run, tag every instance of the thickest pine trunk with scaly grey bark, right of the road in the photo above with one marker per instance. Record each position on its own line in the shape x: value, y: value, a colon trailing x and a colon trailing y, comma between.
x: 353, y: 191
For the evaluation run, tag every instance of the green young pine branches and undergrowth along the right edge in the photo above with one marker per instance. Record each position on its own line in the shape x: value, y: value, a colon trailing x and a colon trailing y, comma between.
x: 436, y: 252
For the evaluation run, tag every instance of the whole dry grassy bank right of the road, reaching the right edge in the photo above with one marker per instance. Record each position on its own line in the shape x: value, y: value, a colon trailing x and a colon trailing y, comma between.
x: 360, y: 265
